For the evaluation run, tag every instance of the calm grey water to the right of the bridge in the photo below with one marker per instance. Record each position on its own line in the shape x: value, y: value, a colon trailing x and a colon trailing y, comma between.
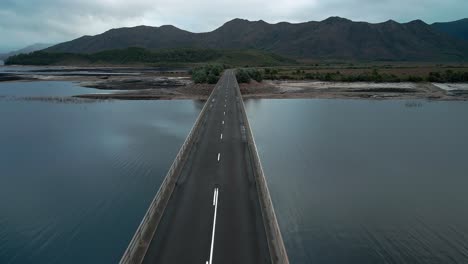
x: 357, y: 181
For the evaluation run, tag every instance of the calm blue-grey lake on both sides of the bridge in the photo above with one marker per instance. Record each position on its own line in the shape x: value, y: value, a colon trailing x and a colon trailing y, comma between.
x: 352, y: 181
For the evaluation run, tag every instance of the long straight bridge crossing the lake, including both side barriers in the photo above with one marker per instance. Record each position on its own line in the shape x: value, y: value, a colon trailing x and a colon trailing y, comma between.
x: 214, y: 205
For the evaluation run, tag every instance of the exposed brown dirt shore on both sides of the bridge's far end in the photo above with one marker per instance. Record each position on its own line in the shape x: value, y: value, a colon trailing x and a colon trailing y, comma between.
x: 146, y: 84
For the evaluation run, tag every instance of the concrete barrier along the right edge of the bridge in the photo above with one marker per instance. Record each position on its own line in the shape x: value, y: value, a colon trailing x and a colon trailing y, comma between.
x: 275, y: 240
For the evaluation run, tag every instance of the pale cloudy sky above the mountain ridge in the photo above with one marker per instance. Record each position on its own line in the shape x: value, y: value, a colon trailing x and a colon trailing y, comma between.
x: 24, y: 22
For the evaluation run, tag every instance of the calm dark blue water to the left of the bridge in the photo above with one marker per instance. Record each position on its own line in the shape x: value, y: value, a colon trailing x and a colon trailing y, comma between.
x: 76, y: 179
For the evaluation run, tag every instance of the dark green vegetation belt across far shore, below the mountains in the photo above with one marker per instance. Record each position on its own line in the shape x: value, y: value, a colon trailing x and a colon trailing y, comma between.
x: 272, y: 66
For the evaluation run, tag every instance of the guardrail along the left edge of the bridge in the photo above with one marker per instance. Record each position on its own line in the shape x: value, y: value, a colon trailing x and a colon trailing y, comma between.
x: 141, y: 240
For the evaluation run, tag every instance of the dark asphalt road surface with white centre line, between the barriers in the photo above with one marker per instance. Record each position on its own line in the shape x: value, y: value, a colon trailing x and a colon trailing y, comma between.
x: 213, y: 215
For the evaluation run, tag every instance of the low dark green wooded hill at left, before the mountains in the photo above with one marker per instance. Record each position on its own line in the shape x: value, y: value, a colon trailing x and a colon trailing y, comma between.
x: 153, y: 58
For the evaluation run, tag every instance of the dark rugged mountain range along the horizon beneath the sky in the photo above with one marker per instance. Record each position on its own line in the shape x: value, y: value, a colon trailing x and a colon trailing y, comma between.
x: 333, y: 38
